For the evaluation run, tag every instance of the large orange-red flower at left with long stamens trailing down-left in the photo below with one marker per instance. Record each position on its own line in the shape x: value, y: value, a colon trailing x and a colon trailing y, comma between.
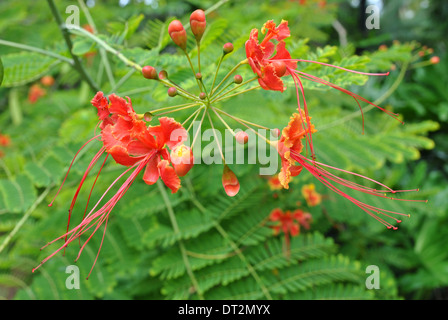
x: 136, y: 146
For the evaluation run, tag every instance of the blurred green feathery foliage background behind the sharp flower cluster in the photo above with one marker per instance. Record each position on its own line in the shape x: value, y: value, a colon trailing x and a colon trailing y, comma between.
x: 226, y: 248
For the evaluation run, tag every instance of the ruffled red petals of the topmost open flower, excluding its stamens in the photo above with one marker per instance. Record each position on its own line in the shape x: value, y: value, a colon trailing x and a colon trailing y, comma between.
x: 259, y: 55
